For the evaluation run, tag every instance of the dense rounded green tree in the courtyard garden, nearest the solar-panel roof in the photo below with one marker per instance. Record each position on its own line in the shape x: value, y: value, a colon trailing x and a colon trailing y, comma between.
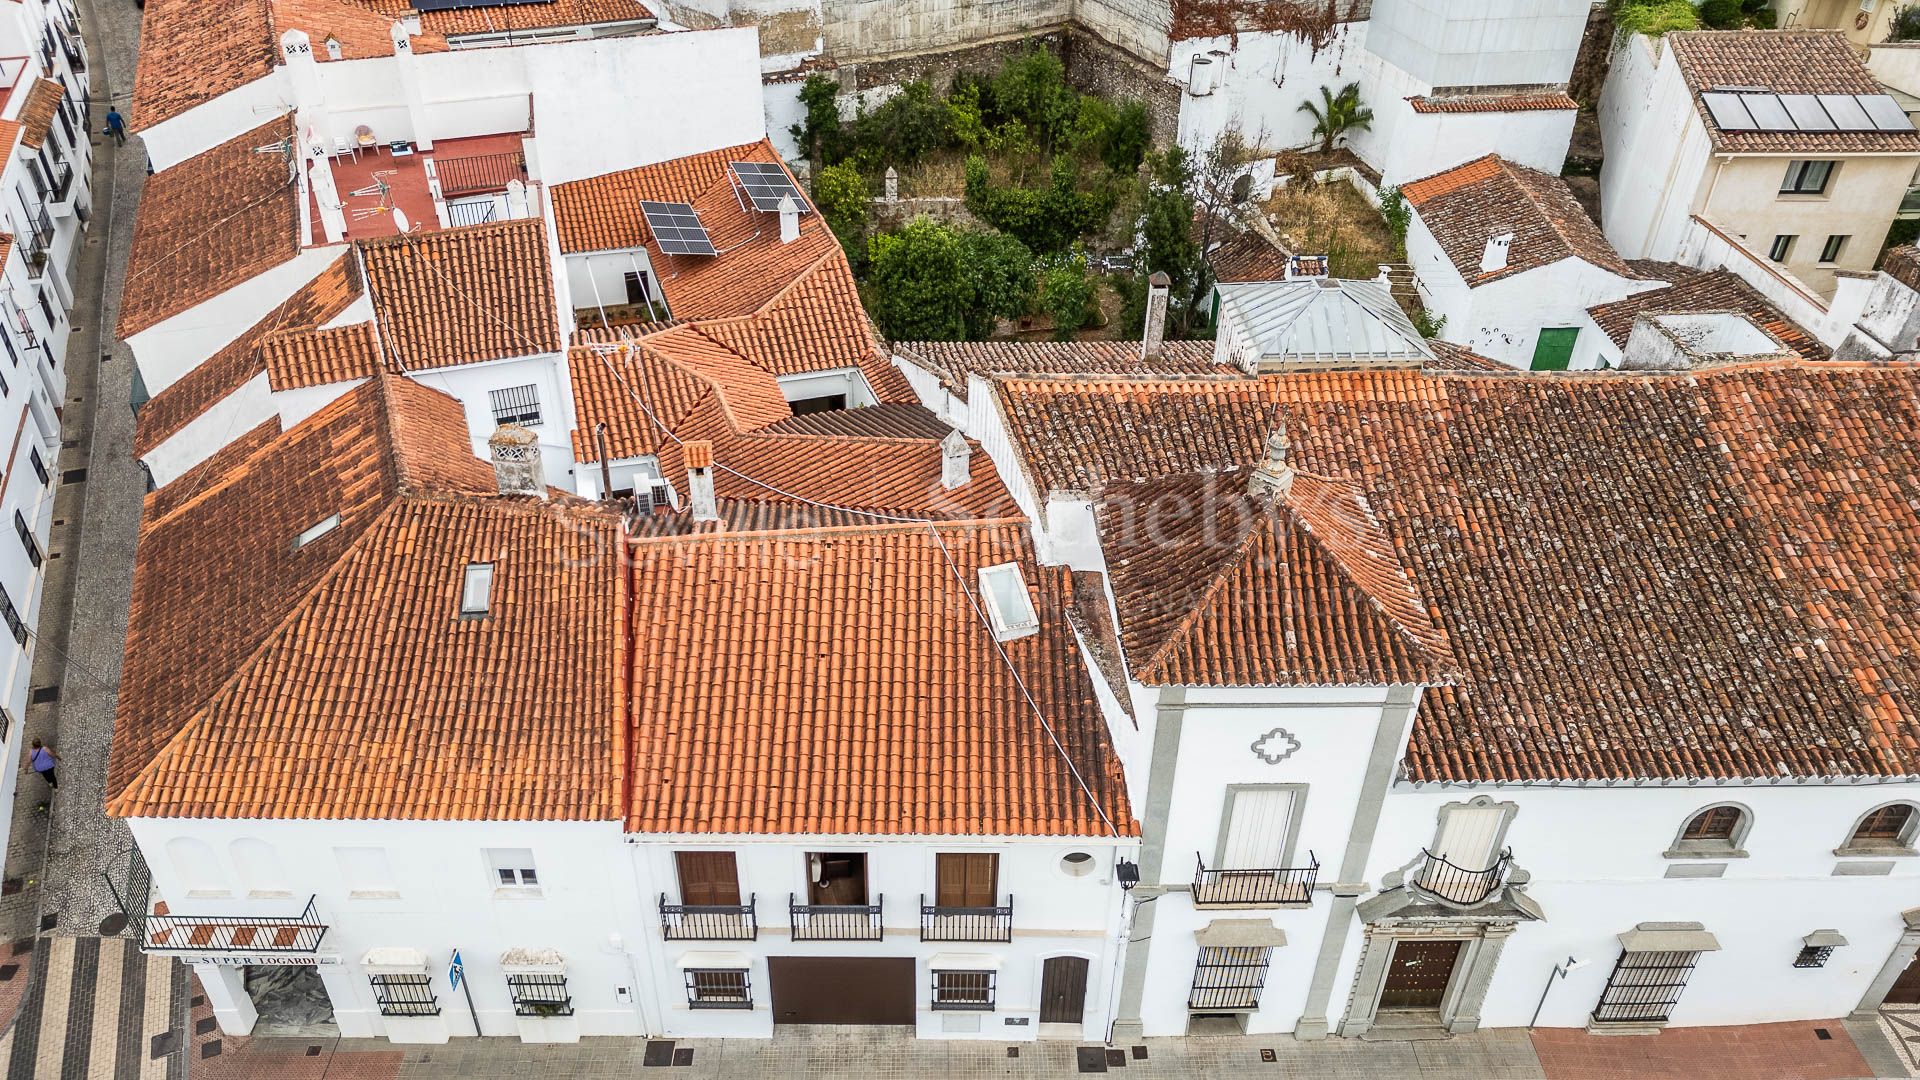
x: 932, y: 282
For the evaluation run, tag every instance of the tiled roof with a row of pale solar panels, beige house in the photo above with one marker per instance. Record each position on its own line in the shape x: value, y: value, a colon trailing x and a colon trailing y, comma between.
x: 1783, y: 62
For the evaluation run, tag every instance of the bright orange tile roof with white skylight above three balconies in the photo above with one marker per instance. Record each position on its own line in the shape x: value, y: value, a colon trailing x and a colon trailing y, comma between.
x: 844, y: 683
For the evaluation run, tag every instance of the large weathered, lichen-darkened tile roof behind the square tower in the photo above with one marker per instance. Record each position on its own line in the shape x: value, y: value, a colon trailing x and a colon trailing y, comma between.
x: 1687, y: 576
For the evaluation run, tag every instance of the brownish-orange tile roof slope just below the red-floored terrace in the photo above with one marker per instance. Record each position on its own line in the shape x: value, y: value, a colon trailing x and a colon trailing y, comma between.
x: 464, y: 295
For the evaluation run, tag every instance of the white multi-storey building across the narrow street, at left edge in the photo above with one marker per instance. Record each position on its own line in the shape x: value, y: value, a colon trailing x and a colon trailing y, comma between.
x: 47, y: 193
